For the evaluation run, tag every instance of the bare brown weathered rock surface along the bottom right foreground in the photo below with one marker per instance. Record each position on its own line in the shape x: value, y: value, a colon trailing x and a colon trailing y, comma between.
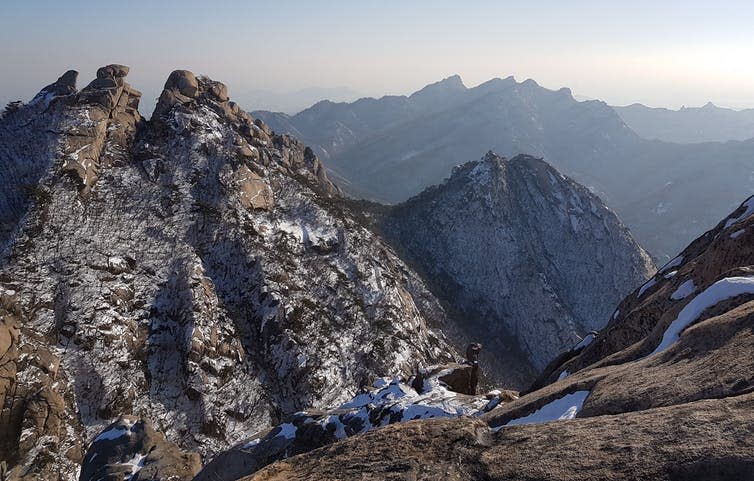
x: 702, y: 440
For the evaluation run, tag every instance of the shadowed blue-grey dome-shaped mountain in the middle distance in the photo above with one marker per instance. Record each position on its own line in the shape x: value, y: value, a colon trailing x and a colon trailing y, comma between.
x: 518, y: 251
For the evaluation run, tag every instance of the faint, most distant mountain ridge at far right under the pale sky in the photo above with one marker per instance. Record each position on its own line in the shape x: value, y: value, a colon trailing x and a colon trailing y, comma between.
x: 709, y: 123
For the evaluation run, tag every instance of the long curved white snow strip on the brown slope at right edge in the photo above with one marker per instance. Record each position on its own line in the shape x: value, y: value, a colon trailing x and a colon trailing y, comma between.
x: 717, y: 292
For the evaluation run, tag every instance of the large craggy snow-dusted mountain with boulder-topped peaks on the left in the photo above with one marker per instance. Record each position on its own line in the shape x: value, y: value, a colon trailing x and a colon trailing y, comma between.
x: 195, y: 276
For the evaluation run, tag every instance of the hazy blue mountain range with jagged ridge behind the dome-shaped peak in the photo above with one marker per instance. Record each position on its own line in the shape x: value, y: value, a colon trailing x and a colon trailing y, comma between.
x: 390, y: 149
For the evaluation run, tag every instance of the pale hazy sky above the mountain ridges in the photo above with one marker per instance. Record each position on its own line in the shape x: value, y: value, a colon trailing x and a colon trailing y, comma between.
x: 661, y: 53
